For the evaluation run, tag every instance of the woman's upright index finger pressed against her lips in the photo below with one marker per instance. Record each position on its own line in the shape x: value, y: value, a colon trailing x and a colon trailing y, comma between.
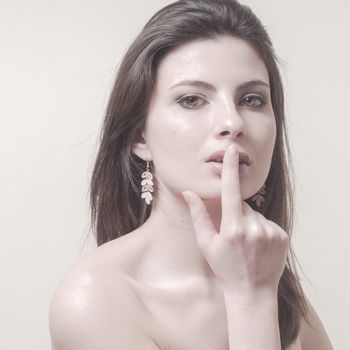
x: 231, y: 200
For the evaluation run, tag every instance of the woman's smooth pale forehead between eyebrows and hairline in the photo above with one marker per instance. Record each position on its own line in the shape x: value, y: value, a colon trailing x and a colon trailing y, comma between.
x: 224, y: 59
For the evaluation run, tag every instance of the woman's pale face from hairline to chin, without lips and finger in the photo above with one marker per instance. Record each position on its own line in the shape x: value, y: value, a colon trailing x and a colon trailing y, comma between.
x: 209, y: 94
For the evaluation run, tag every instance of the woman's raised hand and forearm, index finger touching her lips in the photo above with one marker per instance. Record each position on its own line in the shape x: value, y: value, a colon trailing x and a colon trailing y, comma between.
x: 248, y: 257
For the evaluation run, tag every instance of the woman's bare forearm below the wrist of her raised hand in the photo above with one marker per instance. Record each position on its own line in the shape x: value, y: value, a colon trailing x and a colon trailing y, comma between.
x: 252, y: 321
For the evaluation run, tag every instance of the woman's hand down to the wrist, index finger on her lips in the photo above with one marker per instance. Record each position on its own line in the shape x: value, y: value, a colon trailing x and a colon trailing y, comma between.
x: 249, y: 252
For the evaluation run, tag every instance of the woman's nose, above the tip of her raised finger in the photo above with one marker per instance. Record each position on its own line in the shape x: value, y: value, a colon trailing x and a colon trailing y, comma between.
x: 229, y: 123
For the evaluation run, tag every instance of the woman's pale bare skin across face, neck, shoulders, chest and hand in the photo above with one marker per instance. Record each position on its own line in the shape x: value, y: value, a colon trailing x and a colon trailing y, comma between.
x: 202, y: 273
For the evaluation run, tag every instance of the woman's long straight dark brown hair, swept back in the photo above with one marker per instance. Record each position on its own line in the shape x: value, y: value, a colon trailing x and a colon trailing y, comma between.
x: 116, y: 206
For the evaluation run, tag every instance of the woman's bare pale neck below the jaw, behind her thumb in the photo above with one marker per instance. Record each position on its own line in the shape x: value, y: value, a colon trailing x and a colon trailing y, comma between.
x: 173, y: 251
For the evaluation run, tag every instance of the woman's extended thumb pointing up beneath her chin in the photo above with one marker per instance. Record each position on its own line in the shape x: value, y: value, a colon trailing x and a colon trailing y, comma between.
x: 202, y: 224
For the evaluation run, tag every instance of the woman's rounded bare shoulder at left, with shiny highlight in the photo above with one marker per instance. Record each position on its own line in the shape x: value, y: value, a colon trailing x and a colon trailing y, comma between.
x: 94, y: 307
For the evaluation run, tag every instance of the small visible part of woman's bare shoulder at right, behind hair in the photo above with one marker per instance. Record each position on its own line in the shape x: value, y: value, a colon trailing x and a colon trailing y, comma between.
x: 312, y: 333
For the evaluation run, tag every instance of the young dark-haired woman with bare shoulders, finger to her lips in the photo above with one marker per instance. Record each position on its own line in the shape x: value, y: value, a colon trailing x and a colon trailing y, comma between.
x: 191, y: 198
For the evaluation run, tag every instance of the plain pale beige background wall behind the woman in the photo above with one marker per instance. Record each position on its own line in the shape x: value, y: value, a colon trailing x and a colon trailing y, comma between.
x: 57, y: 63
